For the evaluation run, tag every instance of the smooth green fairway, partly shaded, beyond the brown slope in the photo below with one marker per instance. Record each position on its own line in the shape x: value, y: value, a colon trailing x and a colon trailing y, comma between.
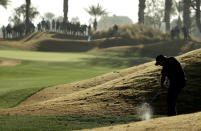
x: 40, y: 70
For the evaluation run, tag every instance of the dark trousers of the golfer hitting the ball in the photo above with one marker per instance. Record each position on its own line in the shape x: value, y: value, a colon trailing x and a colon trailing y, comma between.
x: 173, y: 93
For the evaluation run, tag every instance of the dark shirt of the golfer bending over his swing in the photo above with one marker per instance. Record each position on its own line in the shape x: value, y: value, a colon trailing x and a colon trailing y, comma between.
x: 173, y: 70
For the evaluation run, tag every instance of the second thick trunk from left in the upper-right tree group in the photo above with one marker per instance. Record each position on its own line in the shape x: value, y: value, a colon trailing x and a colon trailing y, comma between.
x: 168, y: 7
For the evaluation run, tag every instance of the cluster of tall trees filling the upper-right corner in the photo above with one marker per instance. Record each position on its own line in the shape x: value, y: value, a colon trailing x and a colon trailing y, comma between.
x: 184, y: 7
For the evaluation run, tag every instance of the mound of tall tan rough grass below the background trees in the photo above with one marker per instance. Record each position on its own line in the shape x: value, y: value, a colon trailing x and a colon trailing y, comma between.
x: 133, y: 33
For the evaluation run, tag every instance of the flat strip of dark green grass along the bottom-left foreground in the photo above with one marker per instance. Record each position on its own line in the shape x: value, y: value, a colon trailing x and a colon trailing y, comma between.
x: 60, y: 123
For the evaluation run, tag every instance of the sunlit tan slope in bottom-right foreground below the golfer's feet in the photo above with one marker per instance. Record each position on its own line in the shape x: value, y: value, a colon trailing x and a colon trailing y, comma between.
x: 190, y: 122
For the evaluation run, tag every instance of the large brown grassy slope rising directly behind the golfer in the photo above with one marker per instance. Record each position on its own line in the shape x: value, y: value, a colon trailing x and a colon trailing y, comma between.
x: 119, y: 92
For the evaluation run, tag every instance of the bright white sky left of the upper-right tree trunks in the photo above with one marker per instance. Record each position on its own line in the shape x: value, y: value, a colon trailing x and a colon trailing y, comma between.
x: 76, y: 8
